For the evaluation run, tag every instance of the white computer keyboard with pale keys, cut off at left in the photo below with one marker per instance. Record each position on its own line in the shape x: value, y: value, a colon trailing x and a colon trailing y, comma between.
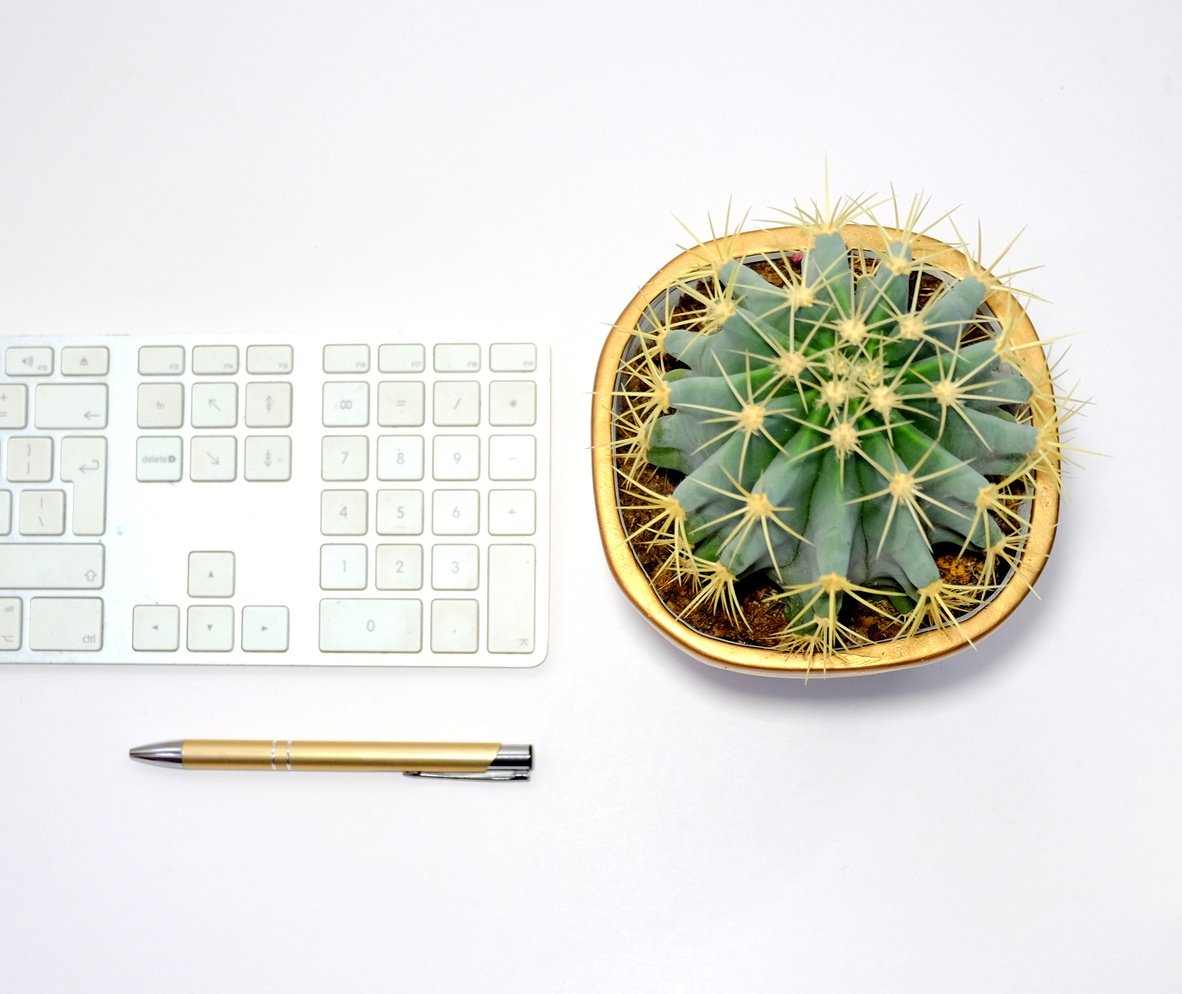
x: 379, y: 502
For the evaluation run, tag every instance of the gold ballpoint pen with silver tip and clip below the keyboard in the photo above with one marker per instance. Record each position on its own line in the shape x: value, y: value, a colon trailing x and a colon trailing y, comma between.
x: 451, y: 761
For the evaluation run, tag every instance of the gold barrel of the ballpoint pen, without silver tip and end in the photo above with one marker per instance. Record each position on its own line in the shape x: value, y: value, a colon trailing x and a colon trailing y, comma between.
x: 339, y: 757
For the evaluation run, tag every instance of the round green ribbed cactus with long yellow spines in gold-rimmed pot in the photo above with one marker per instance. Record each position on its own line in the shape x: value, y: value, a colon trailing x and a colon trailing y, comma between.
x: 835, y: 423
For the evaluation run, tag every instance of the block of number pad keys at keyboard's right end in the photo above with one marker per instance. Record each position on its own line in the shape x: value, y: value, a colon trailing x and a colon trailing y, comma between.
x: 464, y: 433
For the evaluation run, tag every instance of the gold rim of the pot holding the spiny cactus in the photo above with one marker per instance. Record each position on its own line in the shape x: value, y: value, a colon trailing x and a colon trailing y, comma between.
x: 876, y: 658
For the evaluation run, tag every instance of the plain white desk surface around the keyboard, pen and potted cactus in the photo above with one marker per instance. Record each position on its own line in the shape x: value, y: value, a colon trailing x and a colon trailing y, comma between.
x: 1009, y: 820
